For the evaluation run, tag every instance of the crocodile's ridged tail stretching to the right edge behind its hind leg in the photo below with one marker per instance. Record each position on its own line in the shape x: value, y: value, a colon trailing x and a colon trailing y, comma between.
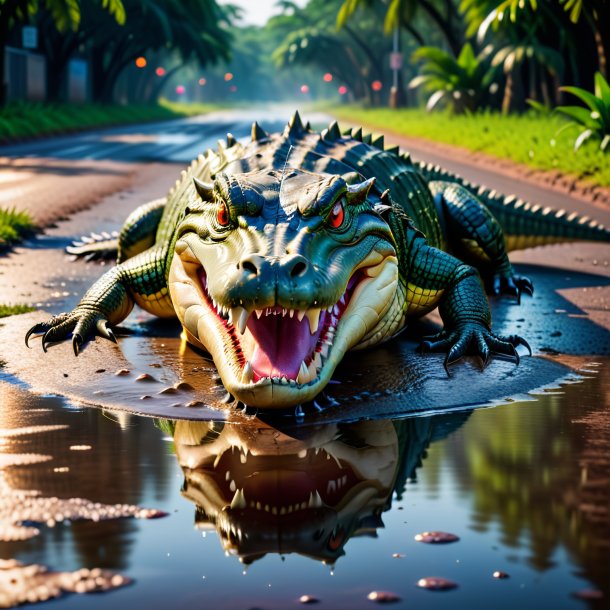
x: 524, y: 224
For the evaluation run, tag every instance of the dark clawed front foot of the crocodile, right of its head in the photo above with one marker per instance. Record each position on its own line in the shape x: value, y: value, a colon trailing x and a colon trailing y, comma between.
x: 473, y: 339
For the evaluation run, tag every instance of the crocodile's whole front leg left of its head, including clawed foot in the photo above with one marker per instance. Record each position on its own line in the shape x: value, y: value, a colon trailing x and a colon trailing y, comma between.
x: 108, y: 302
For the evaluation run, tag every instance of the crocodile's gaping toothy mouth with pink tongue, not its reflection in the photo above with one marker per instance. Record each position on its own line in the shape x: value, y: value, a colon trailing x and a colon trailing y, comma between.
x: 280, y: 345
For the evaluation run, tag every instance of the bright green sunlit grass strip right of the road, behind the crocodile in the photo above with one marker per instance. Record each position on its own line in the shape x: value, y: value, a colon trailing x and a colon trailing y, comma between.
x: 530, y: 138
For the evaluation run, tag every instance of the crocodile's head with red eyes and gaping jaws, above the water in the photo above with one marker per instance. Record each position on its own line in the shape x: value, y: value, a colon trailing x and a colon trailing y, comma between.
x: 277, y: 274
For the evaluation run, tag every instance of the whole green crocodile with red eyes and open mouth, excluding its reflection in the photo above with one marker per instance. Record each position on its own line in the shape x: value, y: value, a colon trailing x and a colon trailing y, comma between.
x: 280, y: 254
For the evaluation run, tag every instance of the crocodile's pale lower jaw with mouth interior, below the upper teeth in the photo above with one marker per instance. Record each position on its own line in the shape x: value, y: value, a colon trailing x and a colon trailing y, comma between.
x: 293, y: 370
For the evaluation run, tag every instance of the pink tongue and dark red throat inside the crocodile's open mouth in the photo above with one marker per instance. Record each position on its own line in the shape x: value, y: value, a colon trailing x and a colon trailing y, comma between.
x: 282, y: 343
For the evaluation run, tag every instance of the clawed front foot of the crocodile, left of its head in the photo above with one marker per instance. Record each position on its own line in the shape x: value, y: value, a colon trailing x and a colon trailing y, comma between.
x: 83, y: 324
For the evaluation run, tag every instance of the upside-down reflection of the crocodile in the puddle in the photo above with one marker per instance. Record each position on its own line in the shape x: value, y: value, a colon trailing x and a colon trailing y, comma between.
x: 300, y: 490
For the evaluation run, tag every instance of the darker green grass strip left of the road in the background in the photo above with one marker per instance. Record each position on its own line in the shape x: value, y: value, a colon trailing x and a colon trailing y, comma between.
x: 27, y: 120
